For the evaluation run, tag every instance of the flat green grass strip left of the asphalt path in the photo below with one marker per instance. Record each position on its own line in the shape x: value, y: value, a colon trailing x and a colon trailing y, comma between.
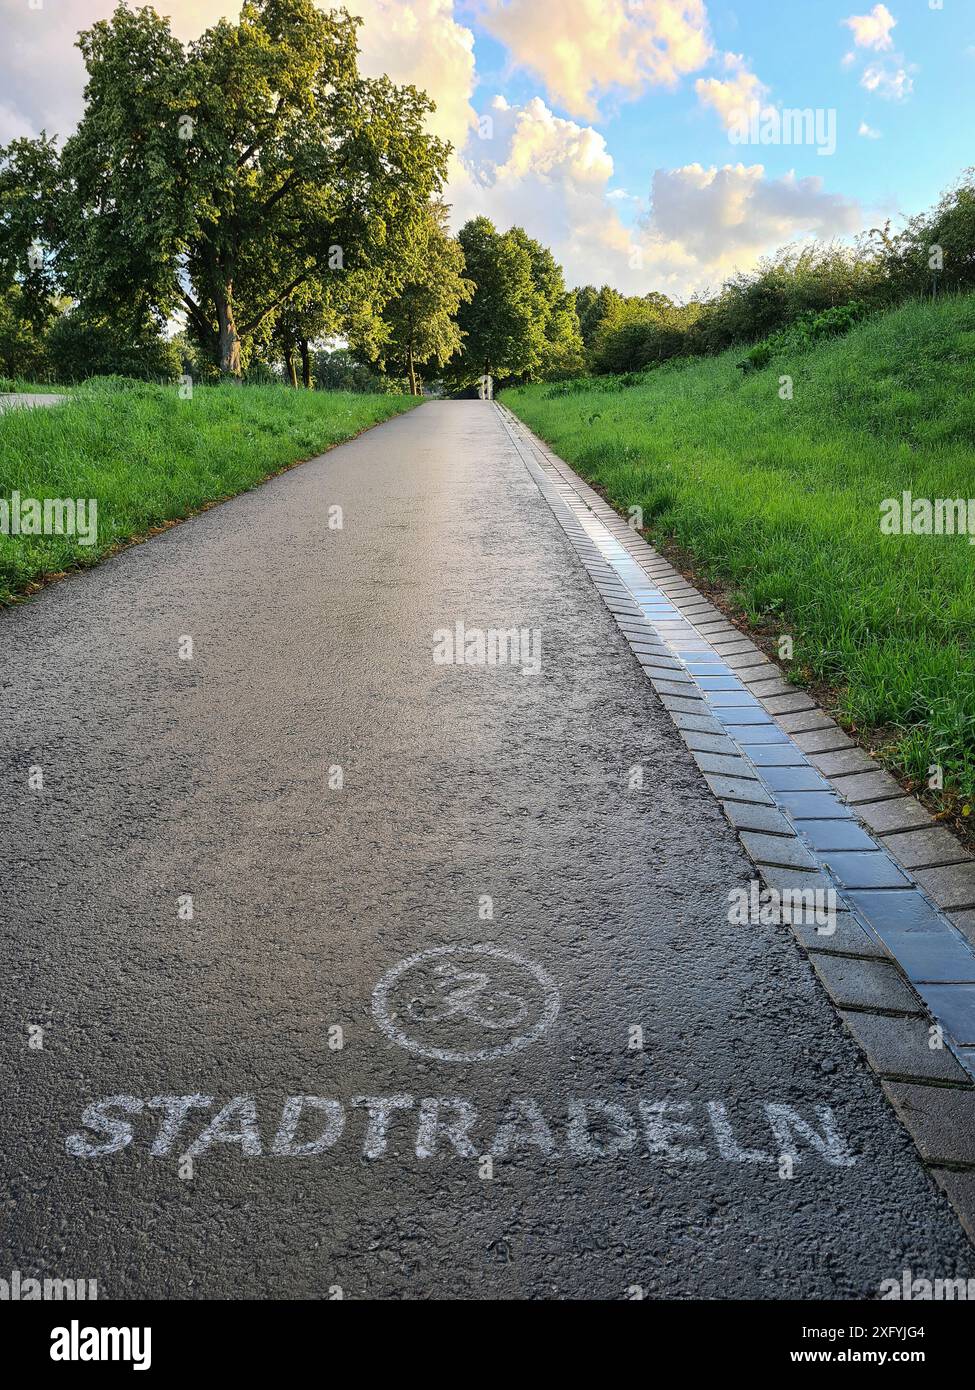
x: 151, y: 458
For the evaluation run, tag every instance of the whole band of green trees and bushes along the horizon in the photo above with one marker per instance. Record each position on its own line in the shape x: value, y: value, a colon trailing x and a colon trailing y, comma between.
x: 248, y: 206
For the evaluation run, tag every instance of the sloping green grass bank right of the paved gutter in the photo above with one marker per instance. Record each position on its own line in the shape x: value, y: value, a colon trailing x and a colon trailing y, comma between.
x: 778, y: 504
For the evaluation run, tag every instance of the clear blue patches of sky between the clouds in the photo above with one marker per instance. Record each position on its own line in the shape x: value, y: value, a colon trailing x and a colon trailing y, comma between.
x: 924, y: 141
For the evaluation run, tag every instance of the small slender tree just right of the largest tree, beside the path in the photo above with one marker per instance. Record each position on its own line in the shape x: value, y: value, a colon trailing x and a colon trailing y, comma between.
x: 421, y: 320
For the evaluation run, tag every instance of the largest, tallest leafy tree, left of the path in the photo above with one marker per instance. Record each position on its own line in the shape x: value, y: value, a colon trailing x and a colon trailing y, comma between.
x: 225, y: 177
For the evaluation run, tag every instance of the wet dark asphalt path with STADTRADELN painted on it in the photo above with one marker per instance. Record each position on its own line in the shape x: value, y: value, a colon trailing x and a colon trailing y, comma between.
x: 216, y: 778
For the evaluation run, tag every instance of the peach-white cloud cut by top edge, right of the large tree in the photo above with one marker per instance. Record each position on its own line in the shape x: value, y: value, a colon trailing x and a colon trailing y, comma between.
x: 582, y: 49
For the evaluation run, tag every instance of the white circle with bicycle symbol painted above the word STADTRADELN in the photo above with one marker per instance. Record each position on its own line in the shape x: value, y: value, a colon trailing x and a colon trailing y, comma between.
x: 465, y: 1003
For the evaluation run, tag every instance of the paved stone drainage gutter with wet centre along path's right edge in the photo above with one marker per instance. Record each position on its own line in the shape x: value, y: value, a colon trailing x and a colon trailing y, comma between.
x: 813, y: 812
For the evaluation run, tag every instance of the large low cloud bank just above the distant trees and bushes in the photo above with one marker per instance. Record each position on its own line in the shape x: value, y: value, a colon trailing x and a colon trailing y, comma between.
x: 551, y: 177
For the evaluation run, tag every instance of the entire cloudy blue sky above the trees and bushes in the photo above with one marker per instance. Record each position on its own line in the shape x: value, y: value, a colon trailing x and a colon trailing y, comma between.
x: 643, y: 141
